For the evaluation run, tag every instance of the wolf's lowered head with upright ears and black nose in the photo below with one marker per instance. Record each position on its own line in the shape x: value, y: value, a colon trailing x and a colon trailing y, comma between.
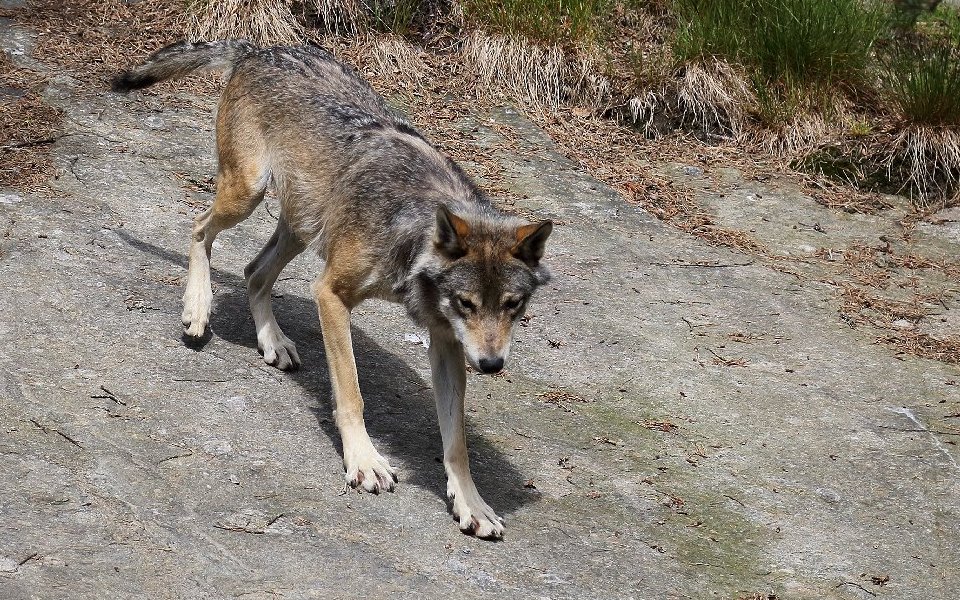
x: 477, y: 278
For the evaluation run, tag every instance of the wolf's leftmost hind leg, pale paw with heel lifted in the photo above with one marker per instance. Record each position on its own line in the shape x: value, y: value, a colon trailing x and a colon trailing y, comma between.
x: 239, y: 191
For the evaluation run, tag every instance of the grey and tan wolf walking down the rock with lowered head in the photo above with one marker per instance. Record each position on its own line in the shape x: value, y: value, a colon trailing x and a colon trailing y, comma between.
x: 391, y: 216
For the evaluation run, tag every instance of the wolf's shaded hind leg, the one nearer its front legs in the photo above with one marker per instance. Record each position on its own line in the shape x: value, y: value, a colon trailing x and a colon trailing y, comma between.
x: 262, y: 272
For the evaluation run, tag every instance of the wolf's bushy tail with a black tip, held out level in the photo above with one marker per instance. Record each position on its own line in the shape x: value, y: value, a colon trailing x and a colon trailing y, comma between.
x: 180, y: 59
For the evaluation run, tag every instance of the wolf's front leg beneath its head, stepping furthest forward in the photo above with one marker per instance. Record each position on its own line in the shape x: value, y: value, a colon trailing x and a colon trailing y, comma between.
x: 449, y: 383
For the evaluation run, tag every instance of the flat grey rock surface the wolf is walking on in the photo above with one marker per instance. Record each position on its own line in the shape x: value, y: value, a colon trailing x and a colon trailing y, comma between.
x: 677, y: 420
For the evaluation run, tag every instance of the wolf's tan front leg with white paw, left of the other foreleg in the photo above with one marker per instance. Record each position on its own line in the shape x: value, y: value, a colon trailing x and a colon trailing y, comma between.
x: 365, y: 467
